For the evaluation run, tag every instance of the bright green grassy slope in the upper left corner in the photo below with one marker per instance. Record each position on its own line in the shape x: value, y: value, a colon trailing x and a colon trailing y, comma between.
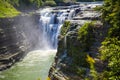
x: 7, y: 10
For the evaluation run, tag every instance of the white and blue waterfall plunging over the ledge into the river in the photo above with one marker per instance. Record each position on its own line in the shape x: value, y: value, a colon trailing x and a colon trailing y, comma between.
x: 50, y: 25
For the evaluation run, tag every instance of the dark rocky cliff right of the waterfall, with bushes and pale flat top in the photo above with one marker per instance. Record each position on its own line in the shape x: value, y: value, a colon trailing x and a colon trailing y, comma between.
x: 75, y: 44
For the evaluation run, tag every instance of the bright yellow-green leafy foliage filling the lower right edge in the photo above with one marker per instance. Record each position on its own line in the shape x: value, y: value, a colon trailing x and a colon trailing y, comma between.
x: 110, y: 51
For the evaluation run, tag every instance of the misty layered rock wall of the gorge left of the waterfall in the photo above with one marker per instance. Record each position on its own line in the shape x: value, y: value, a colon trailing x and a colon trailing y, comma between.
x: 18, y: 35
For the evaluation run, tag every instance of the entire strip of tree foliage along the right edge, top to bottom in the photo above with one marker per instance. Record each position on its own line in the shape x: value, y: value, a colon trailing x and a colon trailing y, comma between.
x: 110, y: 49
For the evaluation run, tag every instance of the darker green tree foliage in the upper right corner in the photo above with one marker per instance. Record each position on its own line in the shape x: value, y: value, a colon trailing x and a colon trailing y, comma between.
x: 111, y: 15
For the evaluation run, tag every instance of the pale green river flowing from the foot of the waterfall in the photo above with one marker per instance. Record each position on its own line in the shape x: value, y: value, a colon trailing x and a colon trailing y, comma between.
x: 35, y: 66
